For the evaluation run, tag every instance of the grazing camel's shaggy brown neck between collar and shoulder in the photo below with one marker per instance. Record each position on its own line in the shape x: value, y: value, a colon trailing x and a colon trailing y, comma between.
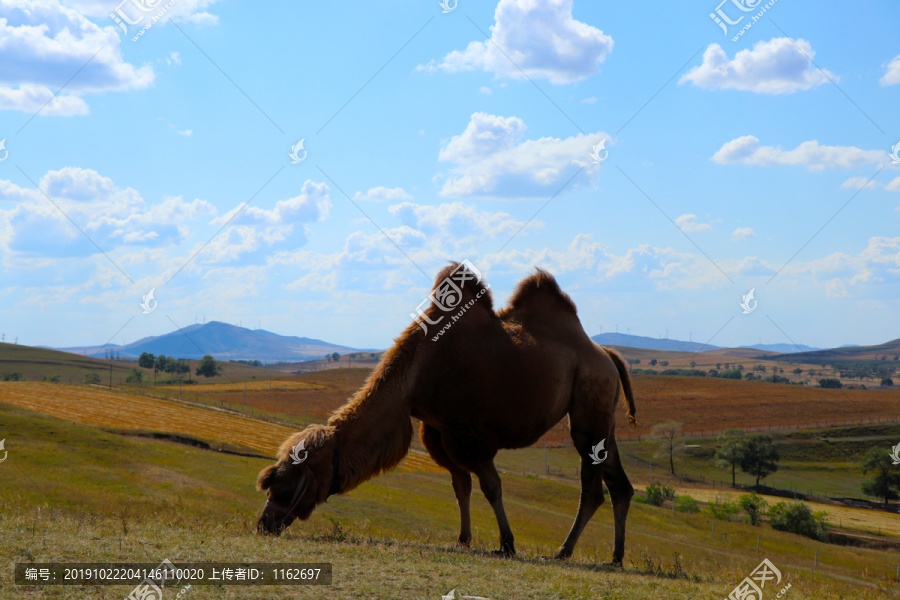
x: 373, y: 432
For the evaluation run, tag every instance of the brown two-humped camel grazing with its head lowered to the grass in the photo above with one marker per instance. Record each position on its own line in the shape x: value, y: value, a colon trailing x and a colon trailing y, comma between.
x: 489, y: 381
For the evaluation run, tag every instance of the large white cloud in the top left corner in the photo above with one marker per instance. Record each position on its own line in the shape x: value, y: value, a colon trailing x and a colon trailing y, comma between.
x: 44, y: 43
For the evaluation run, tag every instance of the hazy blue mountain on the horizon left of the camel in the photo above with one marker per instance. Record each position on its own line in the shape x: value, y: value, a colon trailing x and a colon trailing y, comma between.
x: 224, y: 342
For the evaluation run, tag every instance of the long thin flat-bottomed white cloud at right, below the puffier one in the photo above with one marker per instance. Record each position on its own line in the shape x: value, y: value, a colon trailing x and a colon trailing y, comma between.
x: 747, y: 150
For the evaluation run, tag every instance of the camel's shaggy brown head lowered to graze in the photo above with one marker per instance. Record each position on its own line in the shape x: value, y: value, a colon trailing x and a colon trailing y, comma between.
x: 299, y: 481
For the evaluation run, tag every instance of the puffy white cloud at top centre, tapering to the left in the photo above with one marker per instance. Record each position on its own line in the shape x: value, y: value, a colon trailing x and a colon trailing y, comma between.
x: 542, y: 39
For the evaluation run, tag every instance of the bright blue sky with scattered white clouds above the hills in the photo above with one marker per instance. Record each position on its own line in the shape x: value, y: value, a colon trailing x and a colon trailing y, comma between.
x: 734, y: 162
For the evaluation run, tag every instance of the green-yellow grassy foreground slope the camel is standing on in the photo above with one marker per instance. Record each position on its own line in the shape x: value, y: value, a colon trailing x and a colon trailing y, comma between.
x: 71, y: 492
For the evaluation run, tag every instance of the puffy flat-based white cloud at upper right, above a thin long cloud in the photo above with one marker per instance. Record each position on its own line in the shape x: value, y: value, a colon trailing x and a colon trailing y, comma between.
x: 774, y: 67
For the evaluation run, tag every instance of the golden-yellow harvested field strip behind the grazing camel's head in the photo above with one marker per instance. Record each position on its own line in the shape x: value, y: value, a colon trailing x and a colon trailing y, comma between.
x: 91, y: 406
